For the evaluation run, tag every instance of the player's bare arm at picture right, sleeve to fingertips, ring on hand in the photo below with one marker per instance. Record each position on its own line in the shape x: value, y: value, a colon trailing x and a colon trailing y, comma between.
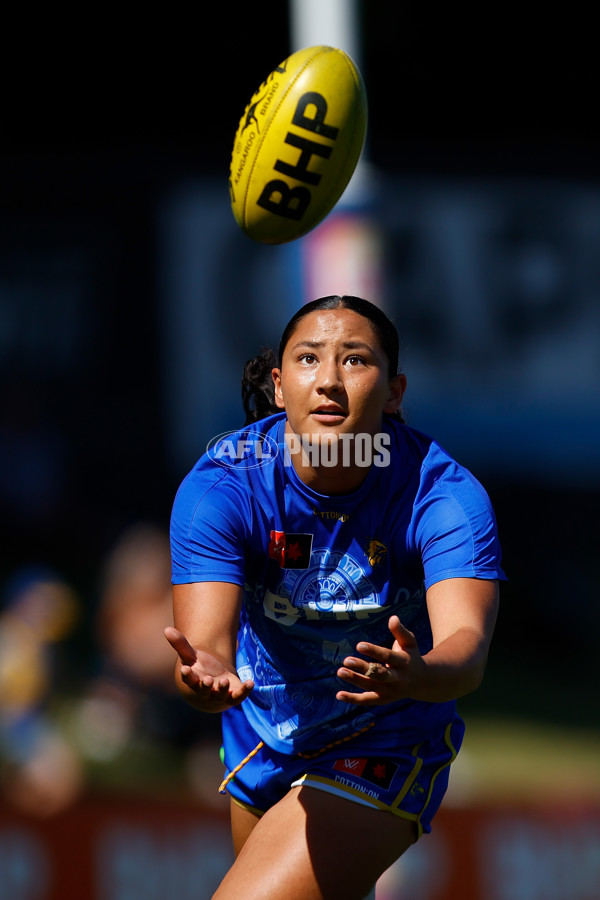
x: 462, y: 612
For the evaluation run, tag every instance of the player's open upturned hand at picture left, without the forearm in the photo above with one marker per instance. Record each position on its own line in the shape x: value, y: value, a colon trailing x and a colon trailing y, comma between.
x: 211, y: 685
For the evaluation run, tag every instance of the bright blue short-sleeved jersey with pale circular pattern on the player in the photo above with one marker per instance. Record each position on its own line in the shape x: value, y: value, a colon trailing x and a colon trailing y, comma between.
x: 321, y: 573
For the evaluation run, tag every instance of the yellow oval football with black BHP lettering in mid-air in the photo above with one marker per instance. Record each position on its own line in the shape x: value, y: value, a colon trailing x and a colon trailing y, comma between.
x: 297, y: 145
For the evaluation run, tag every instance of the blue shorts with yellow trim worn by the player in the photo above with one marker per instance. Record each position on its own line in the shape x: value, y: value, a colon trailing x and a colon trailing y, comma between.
x: 411, y: 783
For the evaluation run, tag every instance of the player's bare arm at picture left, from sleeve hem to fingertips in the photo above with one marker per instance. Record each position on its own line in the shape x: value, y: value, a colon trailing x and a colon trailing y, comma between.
x: 206, y: 617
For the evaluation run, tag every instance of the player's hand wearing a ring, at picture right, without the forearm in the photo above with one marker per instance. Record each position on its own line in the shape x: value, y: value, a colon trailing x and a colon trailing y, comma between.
x: 392, y: 674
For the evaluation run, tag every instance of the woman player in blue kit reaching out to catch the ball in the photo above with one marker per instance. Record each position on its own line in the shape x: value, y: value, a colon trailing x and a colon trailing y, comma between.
x: 335, y: 591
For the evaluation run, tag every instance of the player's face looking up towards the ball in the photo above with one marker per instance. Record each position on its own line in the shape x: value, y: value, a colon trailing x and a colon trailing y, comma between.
x: 334, y: 376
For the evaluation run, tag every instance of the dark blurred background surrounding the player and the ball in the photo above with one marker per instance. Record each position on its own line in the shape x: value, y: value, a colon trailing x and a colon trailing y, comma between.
x: 129, y: 301
